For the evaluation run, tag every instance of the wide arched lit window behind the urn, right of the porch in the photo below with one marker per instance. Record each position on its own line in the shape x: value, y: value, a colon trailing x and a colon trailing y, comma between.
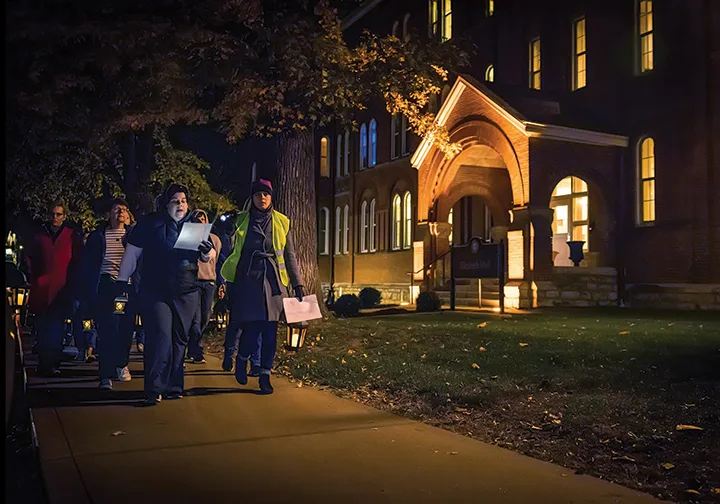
x: 570, y: 202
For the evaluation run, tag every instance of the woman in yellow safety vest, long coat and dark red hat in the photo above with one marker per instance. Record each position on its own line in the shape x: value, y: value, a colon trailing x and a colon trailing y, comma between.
x: 261, y: 267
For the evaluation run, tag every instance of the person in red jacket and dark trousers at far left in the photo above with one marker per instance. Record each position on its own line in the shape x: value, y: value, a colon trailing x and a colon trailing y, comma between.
x: 54, y: 259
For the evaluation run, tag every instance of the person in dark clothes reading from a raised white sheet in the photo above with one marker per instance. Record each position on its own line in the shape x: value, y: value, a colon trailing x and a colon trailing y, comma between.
x: 169, y: 294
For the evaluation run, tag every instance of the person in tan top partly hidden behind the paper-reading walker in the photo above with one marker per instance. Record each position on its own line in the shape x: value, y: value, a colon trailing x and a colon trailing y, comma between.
x: 207, y: 275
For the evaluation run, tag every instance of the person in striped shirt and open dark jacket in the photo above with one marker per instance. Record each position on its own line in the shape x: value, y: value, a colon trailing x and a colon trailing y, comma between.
x: 103, y: 253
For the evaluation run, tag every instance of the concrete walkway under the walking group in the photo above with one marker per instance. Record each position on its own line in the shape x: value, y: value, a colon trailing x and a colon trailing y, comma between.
x: 226, y: 444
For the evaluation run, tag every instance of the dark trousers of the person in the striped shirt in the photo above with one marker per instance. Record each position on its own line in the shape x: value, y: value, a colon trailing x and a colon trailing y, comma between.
x: 114, y: 331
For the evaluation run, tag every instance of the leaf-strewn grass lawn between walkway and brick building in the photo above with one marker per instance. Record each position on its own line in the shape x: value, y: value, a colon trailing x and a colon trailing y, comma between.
x: 605, y: 392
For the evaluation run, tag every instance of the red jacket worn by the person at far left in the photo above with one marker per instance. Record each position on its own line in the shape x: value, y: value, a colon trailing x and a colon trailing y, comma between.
x: 54, y: 267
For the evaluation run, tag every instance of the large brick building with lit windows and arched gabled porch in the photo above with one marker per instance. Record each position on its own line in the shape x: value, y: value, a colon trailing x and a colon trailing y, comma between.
x: 579, y: 120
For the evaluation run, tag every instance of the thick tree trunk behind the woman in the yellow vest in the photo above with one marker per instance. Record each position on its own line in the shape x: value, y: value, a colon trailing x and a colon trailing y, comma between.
x: 295, y: 197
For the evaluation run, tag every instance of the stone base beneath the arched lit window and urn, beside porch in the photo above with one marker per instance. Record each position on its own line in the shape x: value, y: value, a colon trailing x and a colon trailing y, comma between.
x: 579, y: 287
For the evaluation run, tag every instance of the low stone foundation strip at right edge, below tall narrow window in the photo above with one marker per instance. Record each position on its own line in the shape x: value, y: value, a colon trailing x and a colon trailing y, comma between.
x: 674, y: 296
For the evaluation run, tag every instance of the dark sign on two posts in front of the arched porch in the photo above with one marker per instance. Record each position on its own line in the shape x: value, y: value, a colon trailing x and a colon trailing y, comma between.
x: 476, y: 259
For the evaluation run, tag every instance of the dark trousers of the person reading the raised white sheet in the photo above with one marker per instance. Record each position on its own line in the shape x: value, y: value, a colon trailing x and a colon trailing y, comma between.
x: 167, y: 323
